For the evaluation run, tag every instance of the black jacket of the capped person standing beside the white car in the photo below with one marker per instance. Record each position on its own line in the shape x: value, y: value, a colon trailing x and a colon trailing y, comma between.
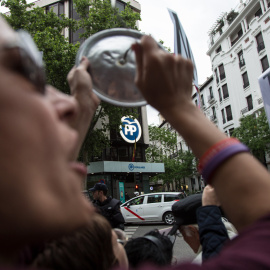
x: 110, y: 209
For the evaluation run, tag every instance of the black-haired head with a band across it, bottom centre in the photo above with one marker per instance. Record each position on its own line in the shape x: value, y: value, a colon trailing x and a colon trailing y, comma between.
x: 153, y: 247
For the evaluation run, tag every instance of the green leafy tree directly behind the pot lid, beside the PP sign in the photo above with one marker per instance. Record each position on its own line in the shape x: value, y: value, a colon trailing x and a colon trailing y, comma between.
x: 95, y: 16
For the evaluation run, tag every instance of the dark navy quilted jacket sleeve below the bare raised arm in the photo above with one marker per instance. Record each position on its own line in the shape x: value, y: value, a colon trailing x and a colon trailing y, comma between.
x: 213, y: 233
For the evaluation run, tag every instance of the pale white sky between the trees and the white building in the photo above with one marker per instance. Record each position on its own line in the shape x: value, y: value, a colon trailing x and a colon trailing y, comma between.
x: 196, y: 17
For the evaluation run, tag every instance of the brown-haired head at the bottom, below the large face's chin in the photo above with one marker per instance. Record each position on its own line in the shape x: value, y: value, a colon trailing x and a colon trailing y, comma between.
x: 93, y: 247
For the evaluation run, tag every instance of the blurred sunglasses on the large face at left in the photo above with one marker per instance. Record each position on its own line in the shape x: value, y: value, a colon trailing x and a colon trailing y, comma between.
x: 31, y: 57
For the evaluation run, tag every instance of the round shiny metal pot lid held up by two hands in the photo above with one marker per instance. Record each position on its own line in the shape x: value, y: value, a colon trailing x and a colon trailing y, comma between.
x: 113, y: 66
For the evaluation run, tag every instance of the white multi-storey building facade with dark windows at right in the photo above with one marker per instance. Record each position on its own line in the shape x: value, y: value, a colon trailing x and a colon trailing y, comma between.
x: 239, y: 51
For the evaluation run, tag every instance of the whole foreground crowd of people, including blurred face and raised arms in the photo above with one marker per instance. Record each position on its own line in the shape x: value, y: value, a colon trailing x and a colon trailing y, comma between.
x: 46, y: 222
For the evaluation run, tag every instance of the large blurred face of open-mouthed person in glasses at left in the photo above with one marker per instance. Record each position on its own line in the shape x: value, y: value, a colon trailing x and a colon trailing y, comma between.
x: 40, y: 179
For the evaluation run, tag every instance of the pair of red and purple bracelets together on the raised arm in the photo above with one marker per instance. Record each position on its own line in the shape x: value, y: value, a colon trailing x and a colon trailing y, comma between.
x: 217, y: 154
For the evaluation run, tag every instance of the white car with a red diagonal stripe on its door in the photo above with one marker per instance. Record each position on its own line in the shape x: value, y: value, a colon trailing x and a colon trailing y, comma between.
x: 151, y: 207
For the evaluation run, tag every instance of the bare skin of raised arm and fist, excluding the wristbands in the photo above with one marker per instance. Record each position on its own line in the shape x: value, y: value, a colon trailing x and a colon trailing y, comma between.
x: 242, y: 184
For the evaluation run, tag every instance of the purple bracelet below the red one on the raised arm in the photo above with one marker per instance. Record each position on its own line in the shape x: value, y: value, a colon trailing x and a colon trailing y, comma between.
x: 220, y: 157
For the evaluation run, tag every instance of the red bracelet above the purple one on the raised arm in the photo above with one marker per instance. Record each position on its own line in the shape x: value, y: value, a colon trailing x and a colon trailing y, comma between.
x: 213, y: 150
